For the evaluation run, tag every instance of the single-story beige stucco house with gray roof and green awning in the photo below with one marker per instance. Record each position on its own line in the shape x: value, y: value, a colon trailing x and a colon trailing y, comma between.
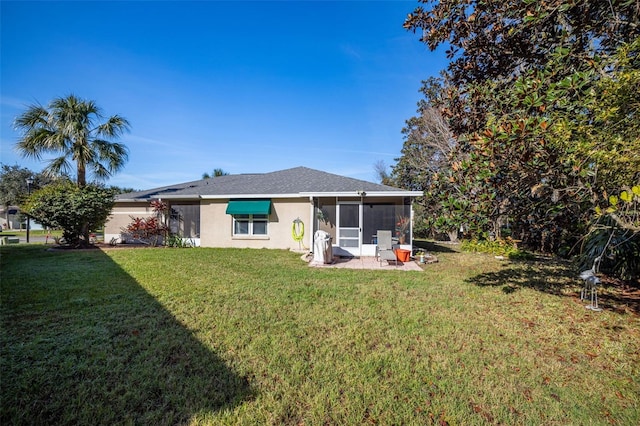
x: 269, y: 210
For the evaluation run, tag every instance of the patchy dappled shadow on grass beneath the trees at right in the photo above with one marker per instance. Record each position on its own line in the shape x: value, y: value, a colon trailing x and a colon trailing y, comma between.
x: 555, y: 277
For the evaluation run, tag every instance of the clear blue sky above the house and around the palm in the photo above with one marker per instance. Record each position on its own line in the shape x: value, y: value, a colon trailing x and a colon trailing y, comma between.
x: 242, y: 86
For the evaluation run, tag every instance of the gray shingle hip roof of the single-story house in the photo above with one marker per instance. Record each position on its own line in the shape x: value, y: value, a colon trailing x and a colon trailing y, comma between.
x: 290, y: 181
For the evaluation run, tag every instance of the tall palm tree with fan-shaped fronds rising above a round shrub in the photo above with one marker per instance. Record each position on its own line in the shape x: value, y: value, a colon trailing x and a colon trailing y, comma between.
x: 70, y: 129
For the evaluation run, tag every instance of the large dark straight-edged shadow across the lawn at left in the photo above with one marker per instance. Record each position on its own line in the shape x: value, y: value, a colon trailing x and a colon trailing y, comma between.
x: 84, y: 343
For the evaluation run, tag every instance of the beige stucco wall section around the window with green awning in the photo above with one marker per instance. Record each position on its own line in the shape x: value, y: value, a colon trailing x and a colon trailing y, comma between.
x: 216, y: 226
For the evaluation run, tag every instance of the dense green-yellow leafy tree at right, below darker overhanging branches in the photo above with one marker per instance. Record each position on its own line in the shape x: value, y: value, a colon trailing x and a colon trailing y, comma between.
x: 551, y: 144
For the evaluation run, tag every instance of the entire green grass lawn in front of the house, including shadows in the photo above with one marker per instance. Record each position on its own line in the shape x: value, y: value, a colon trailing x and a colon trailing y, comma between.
x: 224, y: 336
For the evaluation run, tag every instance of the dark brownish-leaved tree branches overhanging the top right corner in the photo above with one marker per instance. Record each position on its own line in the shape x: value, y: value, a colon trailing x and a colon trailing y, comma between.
x: 496, y: 40
